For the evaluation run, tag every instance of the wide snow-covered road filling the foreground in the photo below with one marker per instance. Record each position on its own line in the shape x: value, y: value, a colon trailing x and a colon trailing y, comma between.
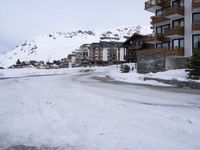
x: 86, y: 112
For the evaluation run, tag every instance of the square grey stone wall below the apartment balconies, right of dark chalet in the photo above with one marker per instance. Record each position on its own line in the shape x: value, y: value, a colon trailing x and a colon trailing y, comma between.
x: 150, y: 62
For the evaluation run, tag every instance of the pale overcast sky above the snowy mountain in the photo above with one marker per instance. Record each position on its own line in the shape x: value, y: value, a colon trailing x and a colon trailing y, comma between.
x: 24, y: 19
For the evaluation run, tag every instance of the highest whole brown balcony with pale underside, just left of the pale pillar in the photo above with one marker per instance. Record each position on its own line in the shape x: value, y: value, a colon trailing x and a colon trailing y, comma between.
x: 174, y: 12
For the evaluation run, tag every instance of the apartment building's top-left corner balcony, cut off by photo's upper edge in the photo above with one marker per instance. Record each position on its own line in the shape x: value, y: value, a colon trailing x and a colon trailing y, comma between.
x: 153, y: 5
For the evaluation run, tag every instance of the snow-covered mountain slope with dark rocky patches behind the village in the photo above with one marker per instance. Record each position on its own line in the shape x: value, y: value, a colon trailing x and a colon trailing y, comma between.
x: 58, y: 45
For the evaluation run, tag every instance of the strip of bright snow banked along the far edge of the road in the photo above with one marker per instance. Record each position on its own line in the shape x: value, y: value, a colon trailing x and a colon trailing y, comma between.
x: 111, y: 71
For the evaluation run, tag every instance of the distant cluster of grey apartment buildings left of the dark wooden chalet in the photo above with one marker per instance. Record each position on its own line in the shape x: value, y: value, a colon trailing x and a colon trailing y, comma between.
x: 99, y: 53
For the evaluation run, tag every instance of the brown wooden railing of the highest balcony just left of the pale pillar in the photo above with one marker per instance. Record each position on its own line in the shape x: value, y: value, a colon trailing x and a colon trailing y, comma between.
x: 179, y: 10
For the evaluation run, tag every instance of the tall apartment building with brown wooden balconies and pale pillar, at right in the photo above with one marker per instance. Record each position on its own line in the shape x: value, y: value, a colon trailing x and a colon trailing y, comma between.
x: 176, y: 29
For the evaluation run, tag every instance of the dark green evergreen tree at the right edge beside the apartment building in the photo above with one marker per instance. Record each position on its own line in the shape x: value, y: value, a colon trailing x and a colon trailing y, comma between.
x: 194, y: 66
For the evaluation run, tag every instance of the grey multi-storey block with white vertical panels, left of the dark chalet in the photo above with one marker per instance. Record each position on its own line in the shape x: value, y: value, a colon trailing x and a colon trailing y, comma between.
x: 104, y: 53
